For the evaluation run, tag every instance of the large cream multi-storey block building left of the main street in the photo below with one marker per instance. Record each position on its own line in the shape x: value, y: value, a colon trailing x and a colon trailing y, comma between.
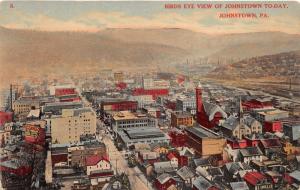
x: 68, y: 127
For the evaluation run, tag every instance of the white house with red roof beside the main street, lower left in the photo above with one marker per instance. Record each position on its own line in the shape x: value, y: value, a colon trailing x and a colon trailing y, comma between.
x: 95, y: 163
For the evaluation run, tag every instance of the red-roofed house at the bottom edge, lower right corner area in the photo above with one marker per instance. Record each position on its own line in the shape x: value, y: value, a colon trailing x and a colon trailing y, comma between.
x: 256, y: 180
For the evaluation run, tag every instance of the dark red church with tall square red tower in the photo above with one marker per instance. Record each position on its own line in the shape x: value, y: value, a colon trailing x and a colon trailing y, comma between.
x: 208, y: 114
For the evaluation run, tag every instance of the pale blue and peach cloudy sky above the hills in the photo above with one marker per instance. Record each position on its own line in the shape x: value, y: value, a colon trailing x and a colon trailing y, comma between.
x: 97, y: 15
